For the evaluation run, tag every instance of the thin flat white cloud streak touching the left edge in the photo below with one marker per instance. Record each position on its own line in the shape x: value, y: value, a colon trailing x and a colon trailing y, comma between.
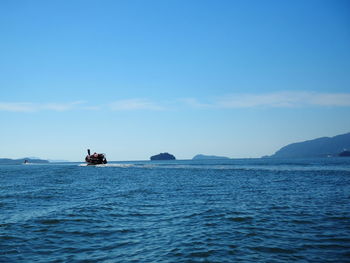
x: 33, y: 107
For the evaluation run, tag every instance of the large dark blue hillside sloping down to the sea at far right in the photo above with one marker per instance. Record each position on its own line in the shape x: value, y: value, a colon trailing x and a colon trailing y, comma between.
x: 321, y: 147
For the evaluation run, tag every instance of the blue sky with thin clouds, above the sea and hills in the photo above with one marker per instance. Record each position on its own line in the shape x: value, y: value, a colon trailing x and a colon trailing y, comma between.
x: 136, y: 78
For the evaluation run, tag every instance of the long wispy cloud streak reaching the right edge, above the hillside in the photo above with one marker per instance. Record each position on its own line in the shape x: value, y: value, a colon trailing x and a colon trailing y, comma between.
x: 275, y: 100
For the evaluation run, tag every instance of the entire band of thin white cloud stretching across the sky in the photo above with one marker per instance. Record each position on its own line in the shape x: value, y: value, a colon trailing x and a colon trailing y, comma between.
x: 287, y: 99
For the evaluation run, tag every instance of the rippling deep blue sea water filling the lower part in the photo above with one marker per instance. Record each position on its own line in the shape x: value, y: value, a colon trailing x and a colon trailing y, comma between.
x: 249, y: 210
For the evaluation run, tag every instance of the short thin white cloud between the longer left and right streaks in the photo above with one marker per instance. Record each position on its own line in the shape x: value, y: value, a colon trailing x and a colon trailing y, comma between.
x: 135, y: 104
